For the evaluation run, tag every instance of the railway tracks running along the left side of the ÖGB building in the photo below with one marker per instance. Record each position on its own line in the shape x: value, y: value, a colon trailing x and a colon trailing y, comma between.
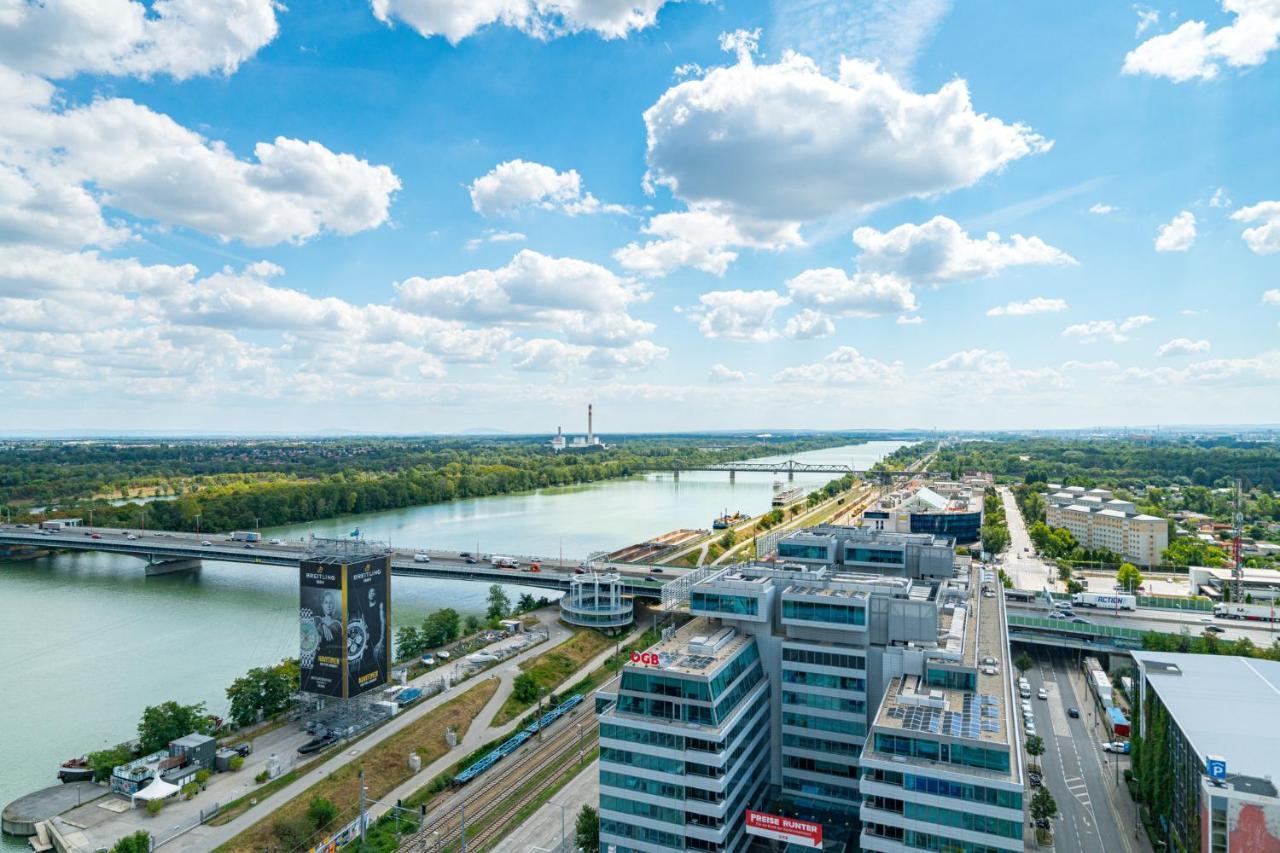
x: 488, y: 792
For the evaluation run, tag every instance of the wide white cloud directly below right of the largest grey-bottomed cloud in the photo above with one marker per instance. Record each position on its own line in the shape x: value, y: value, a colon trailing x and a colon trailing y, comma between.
x: 940, y: 252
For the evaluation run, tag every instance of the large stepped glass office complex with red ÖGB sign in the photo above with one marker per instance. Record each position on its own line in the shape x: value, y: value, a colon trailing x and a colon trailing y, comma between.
x: 802, y: 703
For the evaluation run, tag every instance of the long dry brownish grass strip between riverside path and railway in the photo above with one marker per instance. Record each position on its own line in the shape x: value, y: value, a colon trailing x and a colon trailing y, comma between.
x: 386, y: 767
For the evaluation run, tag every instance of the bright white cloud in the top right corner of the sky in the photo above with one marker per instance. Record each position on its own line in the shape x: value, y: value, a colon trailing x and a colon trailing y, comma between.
x: 1194, y: 52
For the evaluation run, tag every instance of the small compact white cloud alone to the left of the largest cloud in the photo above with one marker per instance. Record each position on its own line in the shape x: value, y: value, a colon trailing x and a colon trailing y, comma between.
x: 516, y: 185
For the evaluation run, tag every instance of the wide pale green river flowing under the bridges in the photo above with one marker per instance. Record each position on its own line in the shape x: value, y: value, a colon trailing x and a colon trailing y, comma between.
x: 90, y: 641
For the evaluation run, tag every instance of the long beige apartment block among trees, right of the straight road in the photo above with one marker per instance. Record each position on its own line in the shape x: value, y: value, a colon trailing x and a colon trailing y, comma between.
x: 1100, y: 521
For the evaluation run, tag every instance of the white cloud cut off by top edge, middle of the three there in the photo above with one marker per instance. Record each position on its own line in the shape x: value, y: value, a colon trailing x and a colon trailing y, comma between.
x: 456, y: 20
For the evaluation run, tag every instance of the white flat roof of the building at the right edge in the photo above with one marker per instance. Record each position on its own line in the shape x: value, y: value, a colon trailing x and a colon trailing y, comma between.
x: 1226, y: 706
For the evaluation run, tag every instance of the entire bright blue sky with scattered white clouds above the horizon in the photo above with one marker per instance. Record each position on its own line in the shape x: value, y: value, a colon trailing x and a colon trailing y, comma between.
x: 420, y: 216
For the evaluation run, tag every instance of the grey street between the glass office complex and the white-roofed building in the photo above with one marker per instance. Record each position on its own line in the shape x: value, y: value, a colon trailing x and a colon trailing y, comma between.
x: 1081, y: 777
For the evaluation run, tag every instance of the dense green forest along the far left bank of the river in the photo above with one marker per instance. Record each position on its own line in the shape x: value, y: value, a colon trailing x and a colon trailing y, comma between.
x: 231, y: 485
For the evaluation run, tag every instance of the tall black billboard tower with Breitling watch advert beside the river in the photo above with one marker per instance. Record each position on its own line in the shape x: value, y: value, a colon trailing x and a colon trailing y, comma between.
x: 345, y: 626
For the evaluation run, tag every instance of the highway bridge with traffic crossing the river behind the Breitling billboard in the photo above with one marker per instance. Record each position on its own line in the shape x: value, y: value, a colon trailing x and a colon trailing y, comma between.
x: 164, y: 553
